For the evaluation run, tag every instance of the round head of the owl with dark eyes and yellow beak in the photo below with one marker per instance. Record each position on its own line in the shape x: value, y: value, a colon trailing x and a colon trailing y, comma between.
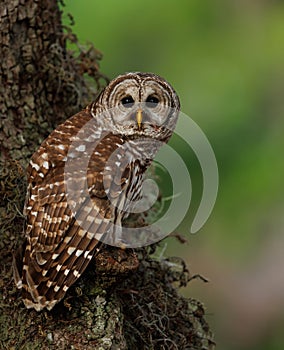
x: 138, y: 105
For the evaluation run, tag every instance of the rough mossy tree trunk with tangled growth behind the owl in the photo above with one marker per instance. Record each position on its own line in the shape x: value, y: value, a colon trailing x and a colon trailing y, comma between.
x: 41, y: 84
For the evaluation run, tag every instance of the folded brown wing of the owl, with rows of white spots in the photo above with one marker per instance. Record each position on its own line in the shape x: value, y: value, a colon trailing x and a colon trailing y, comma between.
x: 59, y: 246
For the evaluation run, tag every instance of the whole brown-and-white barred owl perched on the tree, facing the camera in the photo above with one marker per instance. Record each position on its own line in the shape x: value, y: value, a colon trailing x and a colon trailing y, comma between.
x: 103, y: 151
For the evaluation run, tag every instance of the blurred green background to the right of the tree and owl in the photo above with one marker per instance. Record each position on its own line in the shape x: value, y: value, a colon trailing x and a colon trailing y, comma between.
x: 226, y: 61
